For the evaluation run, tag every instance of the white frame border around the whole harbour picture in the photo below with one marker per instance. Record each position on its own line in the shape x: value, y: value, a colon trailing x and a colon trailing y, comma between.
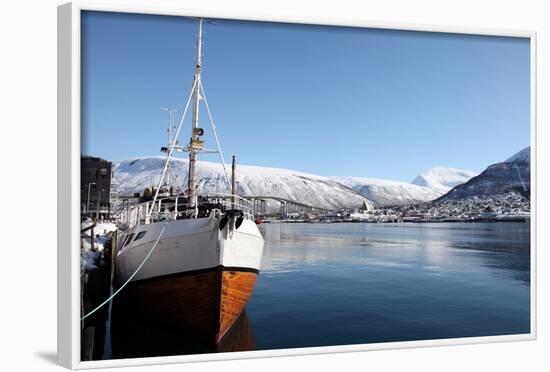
x: 69, y: 16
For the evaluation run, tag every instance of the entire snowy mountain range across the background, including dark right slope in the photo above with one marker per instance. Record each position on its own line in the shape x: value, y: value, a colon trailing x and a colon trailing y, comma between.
x: 134, y: 175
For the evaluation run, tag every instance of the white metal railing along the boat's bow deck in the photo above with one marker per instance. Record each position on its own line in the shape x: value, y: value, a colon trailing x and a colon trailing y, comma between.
x: 177, y: 207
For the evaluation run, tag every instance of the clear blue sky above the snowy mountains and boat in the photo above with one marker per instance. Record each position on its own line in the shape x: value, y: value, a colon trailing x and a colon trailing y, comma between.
x: 326, y: 100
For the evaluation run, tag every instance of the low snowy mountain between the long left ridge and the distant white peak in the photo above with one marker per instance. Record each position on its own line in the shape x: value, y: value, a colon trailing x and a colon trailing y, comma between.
x: 384, y: 192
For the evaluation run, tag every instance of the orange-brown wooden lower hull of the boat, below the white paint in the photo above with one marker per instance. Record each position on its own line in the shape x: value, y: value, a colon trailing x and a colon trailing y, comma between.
x: 206, y: 302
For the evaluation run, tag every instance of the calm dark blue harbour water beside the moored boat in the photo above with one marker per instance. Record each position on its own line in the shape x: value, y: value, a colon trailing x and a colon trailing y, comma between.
x: 342, y: 284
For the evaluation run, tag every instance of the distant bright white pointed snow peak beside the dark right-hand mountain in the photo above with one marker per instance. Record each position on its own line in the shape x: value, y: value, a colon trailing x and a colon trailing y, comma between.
x: 443, y: 179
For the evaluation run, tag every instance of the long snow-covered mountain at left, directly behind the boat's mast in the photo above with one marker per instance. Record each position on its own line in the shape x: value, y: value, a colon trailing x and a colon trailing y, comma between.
x: 134, y: 175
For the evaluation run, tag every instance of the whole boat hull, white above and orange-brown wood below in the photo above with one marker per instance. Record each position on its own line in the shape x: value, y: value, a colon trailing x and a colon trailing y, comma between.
x: 199, y: 277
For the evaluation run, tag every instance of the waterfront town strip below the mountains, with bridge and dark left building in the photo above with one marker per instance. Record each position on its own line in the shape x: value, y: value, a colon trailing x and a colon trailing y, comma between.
x: 101, y: 200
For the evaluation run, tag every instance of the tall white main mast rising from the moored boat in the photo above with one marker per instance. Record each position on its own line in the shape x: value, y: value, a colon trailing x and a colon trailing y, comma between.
x: 195, y: 142
